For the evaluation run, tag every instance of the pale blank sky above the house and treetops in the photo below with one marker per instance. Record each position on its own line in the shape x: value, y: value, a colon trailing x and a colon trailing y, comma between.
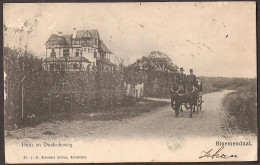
x: 213, y: 38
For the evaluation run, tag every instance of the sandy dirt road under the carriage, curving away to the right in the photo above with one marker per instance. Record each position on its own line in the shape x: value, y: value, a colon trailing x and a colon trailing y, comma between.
x: 160, y: 123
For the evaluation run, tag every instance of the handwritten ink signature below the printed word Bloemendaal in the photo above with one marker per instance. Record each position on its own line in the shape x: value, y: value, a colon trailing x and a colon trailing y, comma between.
x: 218, y: 154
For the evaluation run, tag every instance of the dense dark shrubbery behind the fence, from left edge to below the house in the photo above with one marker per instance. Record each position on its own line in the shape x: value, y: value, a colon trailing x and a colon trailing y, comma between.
x: 92, y: 90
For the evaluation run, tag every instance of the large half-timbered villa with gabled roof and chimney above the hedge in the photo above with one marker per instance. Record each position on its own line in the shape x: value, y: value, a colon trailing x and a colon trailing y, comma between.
x: 82, y: 50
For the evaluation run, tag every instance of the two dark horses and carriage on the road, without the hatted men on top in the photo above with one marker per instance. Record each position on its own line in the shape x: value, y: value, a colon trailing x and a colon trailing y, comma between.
x: 190, y: 94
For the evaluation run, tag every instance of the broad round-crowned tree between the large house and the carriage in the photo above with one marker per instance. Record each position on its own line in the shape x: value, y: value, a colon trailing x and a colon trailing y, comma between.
x: 156, y: 68
